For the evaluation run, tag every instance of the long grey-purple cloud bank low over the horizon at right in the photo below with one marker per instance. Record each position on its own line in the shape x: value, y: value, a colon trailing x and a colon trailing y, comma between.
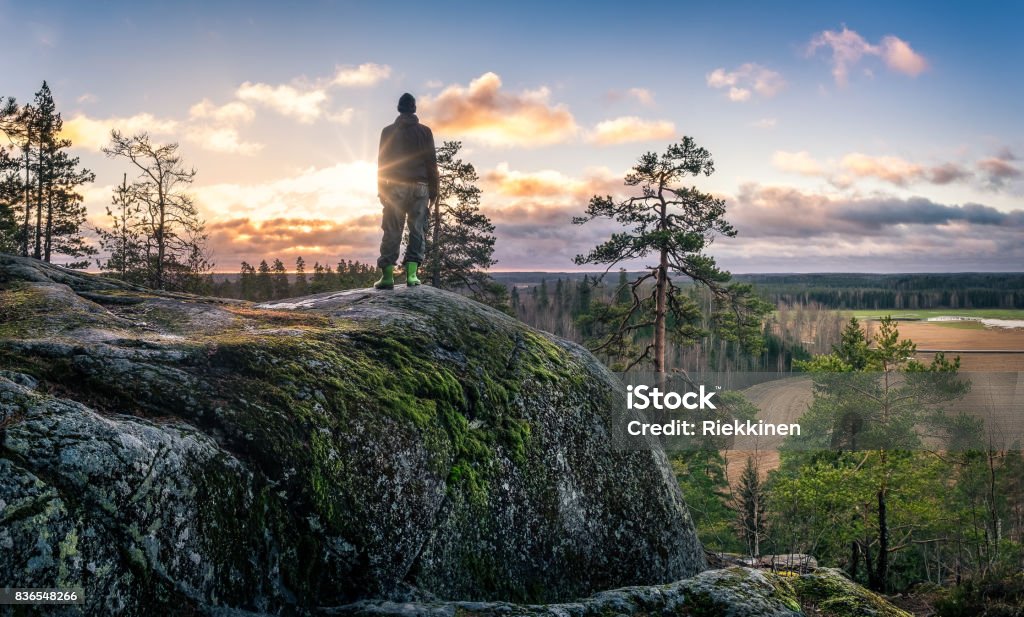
x: 786, y: 230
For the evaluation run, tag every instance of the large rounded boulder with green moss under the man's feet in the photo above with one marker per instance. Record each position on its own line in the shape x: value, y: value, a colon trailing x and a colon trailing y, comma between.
x: 175, y: 454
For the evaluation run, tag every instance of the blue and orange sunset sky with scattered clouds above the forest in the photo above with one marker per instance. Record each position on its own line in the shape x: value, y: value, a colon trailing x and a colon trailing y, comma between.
x: 869, y: 137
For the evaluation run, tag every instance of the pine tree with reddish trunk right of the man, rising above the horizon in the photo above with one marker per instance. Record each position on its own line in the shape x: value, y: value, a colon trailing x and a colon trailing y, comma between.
x: 675, y: 225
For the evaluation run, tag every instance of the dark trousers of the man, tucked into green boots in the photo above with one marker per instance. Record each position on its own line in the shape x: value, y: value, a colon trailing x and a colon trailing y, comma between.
x: 405, y: 203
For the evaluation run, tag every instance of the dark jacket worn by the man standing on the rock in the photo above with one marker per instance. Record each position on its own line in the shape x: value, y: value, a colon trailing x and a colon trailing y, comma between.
x: 407, y: 155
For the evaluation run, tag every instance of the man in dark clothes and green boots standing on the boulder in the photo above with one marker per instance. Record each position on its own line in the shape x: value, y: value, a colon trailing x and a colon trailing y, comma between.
x: 407, y: 187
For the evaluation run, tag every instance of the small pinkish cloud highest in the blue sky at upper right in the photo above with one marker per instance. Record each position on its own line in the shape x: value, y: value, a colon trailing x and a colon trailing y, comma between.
x: 848, y: 49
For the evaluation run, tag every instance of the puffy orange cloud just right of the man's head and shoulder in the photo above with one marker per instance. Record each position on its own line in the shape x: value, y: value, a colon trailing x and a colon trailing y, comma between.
x: 485, y: 112
